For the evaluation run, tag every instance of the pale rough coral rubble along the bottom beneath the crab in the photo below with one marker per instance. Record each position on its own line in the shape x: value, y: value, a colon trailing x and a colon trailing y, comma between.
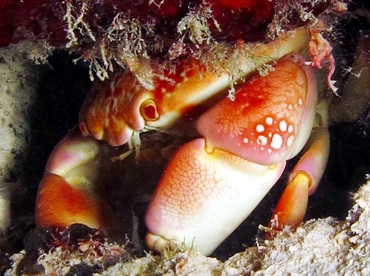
x: 324, y: 246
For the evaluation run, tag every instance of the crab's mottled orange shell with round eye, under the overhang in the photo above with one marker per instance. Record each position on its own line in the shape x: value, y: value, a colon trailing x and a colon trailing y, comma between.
x: 116, y: 110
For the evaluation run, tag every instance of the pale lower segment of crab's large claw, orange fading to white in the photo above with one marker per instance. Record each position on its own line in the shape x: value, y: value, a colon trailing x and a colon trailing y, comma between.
x: 201, y: 192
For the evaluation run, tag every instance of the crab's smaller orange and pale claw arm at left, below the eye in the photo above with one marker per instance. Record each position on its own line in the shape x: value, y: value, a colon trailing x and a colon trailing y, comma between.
x: 68, y: 193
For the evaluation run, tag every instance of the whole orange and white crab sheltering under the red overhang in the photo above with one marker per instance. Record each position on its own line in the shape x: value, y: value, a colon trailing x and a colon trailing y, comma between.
x: 212, y: 183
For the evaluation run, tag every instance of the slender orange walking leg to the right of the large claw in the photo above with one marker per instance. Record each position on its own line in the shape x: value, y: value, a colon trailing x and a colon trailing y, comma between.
x: 306, y: 175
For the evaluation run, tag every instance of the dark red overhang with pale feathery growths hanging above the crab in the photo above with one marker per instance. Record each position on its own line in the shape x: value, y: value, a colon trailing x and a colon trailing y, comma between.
x: 110, y: 34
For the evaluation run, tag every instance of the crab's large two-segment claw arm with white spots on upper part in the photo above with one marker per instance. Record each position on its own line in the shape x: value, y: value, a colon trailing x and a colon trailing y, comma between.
x: 212, y: 184
